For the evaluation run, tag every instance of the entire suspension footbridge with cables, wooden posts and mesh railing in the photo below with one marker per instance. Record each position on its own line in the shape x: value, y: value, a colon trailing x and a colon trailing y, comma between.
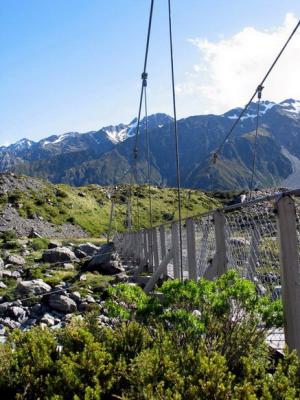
x: 260, y: 238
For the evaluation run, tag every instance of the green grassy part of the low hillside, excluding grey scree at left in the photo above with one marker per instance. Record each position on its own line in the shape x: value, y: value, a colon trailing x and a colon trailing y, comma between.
x: 89, y: 206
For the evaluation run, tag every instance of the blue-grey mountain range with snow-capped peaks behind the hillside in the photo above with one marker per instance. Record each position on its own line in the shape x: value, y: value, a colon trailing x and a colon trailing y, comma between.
x: 103, y: 155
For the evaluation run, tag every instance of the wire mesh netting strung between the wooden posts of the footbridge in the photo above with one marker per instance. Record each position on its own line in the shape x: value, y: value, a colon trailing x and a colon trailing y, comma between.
x: 250, y: 241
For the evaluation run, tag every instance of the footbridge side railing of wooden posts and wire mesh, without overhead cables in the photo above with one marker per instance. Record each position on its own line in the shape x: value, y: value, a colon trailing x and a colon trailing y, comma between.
x: 260, y: 239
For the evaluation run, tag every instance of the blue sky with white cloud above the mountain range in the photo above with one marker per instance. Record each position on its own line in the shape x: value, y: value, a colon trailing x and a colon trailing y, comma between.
x: 74, y: 65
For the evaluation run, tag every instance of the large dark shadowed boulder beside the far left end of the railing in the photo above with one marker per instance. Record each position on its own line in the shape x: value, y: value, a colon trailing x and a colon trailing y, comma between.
x: 106, y: 261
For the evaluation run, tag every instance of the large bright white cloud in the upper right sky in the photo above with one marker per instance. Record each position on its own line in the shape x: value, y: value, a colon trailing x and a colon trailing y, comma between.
x: 231, y: 68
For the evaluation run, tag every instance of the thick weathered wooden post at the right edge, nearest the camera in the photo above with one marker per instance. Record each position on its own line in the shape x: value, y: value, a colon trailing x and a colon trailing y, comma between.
x: 290, y: 274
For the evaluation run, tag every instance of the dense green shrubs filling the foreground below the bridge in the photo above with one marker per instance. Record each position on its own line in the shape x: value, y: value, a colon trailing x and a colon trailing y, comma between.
x: 158, y: 348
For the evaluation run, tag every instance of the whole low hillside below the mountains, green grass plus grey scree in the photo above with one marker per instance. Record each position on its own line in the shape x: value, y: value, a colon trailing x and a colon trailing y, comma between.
x: 32, y: 207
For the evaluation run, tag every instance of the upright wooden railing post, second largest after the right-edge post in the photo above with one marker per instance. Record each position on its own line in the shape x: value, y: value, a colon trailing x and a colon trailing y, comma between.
x: 220, y: 260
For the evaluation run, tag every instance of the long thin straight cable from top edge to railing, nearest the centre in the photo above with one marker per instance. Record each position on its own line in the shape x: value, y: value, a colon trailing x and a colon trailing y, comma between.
x: 176, y: 138
